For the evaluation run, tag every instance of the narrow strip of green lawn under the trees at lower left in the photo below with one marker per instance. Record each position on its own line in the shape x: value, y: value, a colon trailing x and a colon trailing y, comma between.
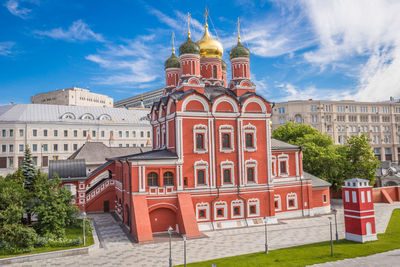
x: 71, y: 233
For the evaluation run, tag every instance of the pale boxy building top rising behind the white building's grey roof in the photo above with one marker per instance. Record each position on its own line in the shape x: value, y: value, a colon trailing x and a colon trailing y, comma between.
x: 73, y: 97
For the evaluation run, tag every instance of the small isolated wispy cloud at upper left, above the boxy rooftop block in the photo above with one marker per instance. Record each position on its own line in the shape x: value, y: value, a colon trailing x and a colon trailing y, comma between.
x: 78, y: 31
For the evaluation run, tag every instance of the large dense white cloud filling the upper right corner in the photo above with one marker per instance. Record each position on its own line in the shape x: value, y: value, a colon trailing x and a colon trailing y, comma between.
x: 348, y: 31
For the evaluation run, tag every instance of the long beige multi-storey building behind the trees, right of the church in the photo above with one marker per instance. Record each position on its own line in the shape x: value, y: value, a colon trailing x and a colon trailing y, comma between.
x: 380, y: 121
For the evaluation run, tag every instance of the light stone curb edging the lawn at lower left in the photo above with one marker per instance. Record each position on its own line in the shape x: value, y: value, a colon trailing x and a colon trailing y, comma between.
x: 54, y: 254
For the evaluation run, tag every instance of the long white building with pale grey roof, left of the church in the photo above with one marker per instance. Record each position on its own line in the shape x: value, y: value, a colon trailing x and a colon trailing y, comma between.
x: 55, y: 132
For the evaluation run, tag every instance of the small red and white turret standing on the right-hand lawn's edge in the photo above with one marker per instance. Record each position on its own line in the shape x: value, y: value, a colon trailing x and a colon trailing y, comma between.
x: 359, y: 215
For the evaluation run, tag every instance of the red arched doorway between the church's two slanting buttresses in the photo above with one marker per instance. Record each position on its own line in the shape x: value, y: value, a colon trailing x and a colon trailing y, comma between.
x: 161, y: 219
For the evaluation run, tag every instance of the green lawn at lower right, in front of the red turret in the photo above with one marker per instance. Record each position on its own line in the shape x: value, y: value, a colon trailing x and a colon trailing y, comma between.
x: 317, y: 252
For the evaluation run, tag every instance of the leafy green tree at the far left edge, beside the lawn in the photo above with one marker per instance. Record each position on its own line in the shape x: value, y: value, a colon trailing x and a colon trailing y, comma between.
x: 13, y: 235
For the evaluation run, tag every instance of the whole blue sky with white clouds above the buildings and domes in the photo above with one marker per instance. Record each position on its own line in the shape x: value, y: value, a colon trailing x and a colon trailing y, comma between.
x: 300, y: 49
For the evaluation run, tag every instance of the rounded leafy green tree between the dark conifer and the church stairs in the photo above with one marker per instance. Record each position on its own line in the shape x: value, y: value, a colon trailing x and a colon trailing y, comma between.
x: 53, y: 207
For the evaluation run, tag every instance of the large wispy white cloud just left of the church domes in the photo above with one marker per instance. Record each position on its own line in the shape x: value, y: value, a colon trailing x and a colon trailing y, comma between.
x: 135, y: 63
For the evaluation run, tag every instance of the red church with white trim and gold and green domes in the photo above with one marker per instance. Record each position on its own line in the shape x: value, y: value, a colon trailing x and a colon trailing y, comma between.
x: 213, y: 163
